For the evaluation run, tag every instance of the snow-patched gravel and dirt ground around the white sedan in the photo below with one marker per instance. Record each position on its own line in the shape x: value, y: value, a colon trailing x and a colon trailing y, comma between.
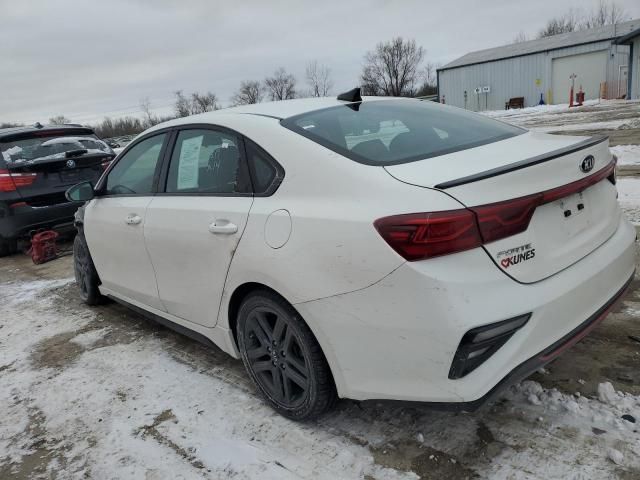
x: 103, y: 393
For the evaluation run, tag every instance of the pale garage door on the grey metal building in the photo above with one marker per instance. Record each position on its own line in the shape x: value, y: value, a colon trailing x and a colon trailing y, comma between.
x: 590, y: 70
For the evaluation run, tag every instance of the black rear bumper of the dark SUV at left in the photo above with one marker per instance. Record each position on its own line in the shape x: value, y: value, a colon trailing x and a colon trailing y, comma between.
x: 22, y: 220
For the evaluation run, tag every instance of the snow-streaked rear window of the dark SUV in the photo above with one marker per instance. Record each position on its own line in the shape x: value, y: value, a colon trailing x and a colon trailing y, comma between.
x: 51, y: 147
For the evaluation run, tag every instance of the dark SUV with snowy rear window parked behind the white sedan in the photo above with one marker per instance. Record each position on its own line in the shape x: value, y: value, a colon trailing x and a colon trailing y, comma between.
x: 37, y: 165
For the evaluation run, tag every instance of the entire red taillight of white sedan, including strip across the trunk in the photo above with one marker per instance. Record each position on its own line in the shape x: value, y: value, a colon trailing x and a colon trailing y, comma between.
x: 417, y: 236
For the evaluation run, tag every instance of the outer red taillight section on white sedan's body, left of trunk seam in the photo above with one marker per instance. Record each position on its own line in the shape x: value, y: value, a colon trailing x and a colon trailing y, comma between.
x: 418, y: 236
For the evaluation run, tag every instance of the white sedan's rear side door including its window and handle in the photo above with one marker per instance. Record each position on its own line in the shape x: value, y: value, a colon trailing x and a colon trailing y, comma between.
x: 193, y: 227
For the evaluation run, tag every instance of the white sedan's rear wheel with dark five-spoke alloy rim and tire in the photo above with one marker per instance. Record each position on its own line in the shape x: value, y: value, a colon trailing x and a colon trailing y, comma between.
x: 283, y: 357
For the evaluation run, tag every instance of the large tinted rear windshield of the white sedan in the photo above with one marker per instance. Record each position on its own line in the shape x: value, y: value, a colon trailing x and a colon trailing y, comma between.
x: 398, y: 131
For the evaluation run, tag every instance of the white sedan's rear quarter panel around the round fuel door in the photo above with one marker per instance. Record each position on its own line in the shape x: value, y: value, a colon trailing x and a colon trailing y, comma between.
x: 333, y: 247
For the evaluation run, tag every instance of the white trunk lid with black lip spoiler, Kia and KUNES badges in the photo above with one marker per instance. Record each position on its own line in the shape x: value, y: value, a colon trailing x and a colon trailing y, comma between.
x: 561, y: 231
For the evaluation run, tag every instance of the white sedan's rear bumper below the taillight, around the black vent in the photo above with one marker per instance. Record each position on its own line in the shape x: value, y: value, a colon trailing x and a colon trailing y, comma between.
x: 396, y: 339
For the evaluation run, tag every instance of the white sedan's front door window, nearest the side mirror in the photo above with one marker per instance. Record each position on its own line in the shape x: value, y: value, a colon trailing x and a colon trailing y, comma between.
x: 134, y: 172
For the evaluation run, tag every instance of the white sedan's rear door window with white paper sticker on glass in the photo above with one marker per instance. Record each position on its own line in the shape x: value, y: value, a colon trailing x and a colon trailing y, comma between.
x: 207, y: 161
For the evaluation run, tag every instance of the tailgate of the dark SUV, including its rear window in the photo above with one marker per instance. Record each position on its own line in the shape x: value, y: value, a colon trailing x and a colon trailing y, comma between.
x: 45, y: 164
